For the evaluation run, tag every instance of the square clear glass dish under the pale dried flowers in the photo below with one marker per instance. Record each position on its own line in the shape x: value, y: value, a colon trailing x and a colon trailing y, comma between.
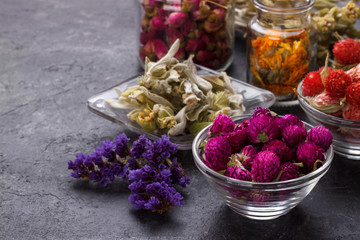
x: 253, y: 97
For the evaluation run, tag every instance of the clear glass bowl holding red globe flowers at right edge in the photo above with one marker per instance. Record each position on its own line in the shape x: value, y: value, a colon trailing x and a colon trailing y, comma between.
x: 346, y: 133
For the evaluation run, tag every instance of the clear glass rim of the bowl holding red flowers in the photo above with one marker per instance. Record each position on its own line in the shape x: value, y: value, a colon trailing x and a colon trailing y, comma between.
x: 323, y: 116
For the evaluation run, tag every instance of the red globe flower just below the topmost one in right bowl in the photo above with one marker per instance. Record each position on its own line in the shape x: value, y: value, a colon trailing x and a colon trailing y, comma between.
x: 336, y: 83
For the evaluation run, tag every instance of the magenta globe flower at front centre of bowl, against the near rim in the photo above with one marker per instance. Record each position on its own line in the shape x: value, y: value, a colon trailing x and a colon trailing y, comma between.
x: 266, y: 167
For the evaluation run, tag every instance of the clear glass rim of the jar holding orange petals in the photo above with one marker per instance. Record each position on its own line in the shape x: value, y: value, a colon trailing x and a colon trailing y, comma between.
x: 303, y: 8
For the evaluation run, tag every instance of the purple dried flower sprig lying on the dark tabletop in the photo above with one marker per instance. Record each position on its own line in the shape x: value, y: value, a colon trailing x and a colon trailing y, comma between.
x: 149, y: 167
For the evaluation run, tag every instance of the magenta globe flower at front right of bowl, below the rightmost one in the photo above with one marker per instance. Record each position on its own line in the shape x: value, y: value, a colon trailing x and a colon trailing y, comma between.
x: 308, y: 153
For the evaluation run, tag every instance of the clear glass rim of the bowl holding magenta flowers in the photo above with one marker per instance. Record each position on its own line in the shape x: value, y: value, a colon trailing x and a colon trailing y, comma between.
x: 268, y: 185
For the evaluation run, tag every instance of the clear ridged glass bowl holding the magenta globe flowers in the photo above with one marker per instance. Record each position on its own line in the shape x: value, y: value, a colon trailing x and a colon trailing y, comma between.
x: 255, y: 200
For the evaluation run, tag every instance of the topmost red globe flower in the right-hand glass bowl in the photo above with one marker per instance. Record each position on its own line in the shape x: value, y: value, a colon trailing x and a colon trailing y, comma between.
x: 347, y: 51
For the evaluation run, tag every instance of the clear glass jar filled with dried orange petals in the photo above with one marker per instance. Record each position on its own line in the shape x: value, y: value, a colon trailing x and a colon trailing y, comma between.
x: 281, y: 46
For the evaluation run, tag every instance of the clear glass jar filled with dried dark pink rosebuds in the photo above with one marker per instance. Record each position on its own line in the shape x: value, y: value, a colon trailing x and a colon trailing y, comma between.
x: 204, y: 27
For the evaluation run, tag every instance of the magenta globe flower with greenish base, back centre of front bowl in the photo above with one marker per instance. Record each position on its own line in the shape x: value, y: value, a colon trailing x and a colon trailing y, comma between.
x: 263, y: 129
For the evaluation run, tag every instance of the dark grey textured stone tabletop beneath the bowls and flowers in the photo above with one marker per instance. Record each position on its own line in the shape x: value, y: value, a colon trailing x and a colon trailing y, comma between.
x: 54, y: 54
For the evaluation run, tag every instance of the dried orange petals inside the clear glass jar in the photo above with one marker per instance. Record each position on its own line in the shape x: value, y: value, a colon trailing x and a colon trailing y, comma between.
x: 280, y: 61
